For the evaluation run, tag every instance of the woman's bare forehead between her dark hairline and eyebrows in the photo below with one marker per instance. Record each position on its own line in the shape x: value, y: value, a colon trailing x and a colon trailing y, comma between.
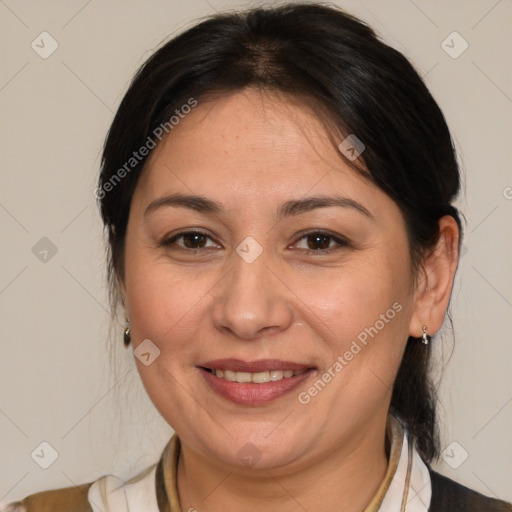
x: 249, y: 144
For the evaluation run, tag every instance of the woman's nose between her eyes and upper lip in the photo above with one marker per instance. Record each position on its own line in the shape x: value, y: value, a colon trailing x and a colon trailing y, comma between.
x: 250, y: 301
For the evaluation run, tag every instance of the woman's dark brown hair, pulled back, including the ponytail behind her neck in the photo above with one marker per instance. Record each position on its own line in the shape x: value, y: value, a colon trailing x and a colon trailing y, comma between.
x: 320, y: 54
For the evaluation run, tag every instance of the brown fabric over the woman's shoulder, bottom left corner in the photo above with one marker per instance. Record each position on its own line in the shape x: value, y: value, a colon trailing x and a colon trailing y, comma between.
x: 60, y: 500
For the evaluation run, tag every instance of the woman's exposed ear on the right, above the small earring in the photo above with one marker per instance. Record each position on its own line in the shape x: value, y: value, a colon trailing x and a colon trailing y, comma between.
x: 435, y: 280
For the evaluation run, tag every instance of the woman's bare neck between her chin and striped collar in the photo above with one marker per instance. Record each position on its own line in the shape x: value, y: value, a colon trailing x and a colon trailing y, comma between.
x: 345, y: 479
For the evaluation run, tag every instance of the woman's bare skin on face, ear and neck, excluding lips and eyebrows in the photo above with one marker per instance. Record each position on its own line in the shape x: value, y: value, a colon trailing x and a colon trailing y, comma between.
x: 252, y: 152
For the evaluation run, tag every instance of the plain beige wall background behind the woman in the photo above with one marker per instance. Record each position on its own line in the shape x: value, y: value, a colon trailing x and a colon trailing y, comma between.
x: 57, y: 381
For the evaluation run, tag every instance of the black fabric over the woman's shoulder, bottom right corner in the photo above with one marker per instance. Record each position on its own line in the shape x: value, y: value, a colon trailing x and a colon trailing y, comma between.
x: 448, y: 495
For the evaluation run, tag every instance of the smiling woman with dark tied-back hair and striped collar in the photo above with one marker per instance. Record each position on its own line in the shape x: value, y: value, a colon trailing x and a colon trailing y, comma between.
x: 277, y: 190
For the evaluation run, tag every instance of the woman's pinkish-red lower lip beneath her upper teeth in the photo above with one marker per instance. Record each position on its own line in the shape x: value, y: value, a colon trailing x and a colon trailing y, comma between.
x: 250, y: 393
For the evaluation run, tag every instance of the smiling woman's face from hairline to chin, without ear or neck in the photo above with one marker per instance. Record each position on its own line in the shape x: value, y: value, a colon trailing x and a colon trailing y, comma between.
x: 279, y: 297
